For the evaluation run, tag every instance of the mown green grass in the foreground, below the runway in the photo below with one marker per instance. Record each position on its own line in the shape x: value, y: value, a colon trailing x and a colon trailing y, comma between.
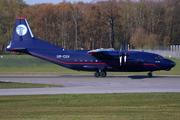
x: 134, y: 106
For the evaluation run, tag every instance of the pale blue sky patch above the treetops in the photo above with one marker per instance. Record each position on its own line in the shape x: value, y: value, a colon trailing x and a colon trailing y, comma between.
x: 32, y: 2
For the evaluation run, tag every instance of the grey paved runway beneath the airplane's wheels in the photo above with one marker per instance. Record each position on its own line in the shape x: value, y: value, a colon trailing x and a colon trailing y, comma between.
x: 88, y: 84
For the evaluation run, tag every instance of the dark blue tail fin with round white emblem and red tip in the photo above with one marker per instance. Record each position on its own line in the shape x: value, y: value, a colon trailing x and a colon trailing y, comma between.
x: 23, y: 39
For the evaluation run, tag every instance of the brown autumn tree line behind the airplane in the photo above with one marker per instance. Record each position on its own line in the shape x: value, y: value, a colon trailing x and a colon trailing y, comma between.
x: 103, y: 24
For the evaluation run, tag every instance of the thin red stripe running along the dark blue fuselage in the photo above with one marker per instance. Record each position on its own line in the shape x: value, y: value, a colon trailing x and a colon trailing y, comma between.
x: 94, y: 63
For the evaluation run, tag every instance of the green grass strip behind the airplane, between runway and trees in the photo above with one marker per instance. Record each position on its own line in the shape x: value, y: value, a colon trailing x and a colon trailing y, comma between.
x: 25, y: 64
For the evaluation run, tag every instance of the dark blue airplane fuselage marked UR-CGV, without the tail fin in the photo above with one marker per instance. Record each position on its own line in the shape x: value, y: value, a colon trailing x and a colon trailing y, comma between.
x: 81, y: 60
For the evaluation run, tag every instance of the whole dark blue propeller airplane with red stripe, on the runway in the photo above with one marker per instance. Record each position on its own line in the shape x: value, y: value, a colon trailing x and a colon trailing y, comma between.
x: 100, y: 60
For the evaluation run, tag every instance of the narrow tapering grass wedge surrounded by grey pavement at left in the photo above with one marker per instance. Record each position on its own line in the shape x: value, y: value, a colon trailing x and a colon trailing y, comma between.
x: 7, y: 85
